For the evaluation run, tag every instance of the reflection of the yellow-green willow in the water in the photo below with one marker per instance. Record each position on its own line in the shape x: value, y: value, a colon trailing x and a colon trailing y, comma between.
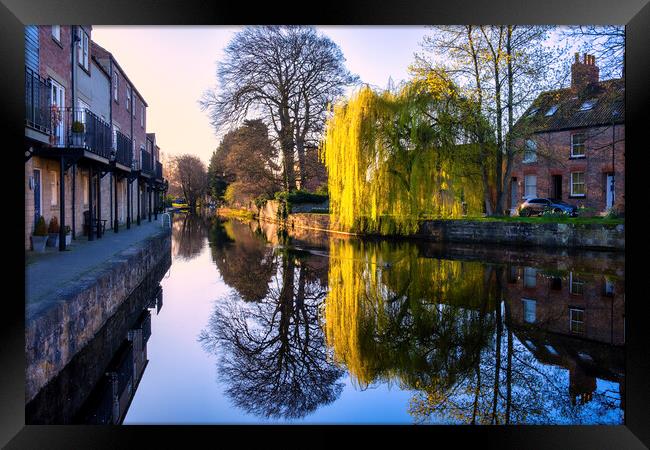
x: 388, y: 310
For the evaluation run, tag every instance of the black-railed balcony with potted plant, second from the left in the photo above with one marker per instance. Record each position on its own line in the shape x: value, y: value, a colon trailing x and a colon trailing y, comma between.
x: 80, y: 128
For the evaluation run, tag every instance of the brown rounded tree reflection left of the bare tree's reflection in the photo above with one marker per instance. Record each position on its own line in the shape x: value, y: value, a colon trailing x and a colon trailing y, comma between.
x: 244, y: 260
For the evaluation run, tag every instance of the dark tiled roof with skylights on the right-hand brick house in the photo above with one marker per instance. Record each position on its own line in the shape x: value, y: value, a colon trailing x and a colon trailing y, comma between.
x: 607, y: 100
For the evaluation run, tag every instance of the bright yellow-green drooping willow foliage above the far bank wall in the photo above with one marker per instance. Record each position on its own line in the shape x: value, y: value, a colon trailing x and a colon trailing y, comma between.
x: 394, y: 158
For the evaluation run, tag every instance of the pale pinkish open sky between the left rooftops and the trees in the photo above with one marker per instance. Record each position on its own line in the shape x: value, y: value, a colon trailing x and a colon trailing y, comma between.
x: 172, y: 66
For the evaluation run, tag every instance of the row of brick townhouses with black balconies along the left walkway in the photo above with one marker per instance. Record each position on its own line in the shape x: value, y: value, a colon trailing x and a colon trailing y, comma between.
x: 82, y: 165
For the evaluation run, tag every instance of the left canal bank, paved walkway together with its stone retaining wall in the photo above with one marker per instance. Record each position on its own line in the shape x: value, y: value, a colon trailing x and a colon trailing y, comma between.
x: 70, y: 296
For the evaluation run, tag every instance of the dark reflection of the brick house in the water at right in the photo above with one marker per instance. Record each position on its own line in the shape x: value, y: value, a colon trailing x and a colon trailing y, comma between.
x: 571, y: 320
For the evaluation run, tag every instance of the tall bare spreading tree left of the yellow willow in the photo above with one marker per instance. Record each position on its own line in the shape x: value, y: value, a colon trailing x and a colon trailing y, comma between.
x: 285, y: 75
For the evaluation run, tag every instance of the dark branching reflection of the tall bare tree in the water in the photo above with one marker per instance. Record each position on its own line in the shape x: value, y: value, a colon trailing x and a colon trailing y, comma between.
x: 272, y: 352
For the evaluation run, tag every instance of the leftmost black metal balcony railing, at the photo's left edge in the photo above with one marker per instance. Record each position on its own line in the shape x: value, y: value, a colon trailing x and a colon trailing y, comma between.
x: 37, y: 101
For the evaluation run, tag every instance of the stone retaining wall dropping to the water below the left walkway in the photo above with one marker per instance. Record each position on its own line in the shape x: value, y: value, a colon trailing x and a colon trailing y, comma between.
x: 57, y: 328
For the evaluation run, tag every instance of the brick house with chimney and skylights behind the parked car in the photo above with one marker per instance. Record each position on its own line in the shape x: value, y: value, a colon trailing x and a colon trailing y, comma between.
x: 572, y: 143
